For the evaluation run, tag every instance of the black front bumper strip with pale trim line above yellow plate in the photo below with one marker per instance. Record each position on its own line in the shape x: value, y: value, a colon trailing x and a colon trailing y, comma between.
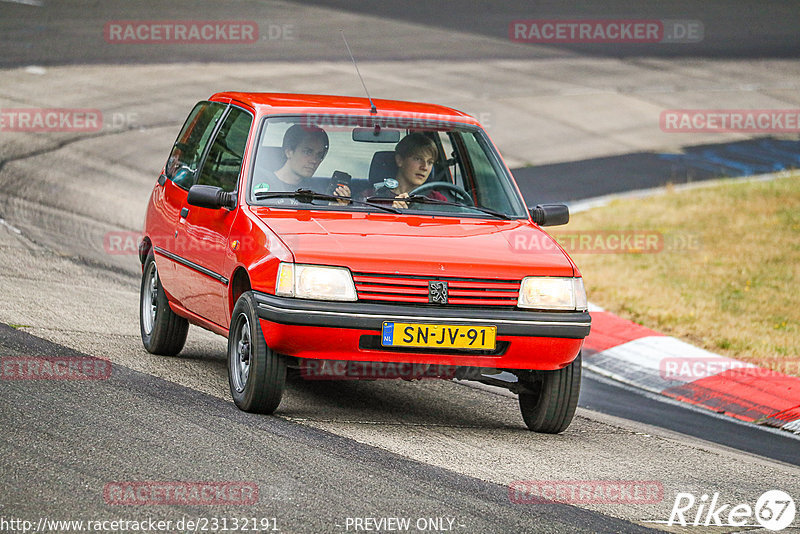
x: 371, y: 316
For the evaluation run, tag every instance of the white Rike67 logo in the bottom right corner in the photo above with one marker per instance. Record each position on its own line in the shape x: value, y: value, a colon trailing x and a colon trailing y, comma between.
x: 774, y: 510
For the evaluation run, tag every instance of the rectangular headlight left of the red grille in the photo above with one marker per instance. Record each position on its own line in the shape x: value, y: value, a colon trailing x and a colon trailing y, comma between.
x: 315, y: 282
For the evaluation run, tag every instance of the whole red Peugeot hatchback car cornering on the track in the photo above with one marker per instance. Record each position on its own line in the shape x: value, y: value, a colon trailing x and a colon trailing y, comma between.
x: 339, y: 238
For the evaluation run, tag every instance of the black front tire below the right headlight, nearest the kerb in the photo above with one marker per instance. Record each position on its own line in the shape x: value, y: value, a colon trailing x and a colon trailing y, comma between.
x: 550, y: 403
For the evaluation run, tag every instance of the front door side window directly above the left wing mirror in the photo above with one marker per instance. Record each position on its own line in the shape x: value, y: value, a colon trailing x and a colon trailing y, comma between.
x: 224, y: 161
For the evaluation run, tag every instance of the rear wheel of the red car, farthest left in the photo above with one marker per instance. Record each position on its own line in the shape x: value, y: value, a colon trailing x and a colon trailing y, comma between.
x: 163, y: 331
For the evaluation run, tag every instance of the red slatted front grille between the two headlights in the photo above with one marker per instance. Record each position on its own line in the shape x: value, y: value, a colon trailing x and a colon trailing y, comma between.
x: 410, y: 289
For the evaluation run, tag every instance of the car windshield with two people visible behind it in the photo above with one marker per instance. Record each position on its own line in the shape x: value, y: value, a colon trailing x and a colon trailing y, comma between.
x: 371, y: 163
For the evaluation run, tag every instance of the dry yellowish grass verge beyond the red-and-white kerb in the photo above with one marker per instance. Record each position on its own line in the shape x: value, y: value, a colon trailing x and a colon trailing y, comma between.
x: 716, y: 266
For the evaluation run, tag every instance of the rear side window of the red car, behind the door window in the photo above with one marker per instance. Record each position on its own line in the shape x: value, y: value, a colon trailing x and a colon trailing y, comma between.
x: 188, y: 149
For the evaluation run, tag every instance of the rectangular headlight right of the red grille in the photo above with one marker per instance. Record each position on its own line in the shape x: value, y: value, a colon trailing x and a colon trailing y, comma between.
x: 552, y: 293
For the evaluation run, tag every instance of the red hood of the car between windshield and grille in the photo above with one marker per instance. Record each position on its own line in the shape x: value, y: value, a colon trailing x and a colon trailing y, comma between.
x: 429, y: 246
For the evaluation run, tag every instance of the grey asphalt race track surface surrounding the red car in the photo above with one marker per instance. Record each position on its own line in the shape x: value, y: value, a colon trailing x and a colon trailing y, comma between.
x: 573, y: 121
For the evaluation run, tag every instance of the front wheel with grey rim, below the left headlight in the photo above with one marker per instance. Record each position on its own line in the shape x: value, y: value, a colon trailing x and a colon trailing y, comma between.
x: 256, y: 374
